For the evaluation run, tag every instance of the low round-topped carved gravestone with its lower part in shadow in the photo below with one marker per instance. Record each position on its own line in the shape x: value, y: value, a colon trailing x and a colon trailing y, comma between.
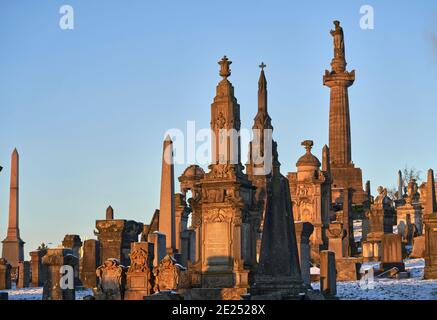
x: 111, y: 281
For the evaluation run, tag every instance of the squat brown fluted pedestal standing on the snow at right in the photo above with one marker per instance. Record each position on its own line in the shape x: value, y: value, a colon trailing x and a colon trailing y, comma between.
x: 392, y: 252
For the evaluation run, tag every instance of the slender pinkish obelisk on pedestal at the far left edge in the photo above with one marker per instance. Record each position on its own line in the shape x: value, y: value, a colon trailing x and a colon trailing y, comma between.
x: 13, y: 246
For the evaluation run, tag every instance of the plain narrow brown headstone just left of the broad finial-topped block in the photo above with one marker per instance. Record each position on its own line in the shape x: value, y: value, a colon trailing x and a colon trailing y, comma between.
x: 90, y: 262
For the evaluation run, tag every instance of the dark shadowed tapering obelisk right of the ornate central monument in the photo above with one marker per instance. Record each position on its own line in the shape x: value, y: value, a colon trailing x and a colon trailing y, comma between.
x: 278, y: 276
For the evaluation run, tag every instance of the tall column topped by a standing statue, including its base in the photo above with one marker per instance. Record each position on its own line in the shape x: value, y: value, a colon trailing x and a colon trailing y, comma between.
x: 343, y: 171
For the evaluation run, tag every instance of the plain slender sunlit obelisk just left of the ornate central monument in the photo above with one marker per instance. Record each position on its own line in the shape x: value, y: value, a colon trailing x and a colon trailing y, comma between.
x: 167, y: 223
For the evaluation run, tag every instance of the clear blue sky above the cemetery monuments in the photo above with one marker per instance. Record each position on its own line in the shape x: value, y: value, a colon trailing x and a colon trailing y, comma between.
x: 87, y: 108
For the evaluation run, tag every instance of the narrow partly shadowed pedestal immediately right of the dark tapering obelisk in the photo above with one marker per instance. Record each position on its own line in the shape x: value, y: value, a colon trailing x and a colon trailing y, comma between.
x: 303, y: 234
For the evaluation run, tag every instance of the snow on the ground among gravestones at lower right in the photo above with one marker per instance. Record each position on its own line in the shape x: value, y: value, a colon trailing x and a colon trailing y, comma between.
x: 413, y: 288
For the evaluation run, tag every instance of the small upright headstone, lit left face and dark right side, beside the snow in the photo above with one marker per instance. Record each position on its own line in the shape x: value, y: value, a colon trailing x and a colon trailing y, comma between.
x: 328, y: 273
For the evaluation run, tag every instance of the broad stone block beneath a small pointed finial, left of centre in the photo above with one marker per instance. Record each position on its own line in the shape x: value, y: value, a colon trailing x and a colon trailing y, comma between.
x: 115, y: 238
